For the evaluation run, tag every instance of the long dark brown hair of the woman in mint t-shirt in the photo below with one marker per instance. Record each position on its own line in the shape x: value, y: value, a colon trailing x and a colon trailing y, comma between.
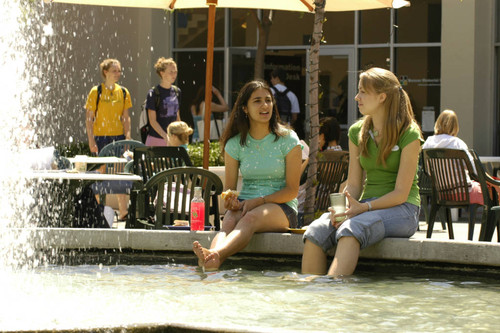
x: 238, y: 120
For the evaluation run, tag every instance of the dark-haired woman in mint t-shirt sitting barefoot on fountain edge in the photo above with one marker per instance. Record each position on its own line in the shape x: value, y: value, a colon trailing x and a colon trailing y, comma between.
x: 268, y: 155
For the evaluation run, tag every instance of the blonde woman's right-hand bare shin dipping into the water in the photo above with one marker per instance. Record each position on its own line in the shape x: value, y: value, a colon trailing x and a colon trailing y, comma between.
x: 346, y: 257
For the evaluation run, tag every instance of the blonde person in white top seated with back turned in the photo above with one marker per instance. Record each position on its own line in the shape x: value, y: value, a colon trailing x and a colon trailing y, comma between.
x: 445, y: 136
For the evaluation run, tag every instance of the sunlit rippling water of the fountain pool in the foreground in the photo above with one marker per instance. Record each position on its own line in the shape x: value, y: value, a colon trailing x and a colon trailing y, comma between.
x: 96, y: 295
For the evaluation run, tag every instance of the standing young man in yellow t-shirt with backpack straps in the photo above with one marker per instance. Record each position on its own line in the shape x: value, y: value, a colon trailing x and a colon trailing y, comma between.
x: 107, y: 106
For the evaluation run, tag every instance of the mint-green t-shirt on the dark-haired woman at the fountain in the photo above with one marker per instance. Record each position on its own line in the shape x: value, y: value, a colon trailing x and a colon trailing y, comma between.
x: 263, y: 163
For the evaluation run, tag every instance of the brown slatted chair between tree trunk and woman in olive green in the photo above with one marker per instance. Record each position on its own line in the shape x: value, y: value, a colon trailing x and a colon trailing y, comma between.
x: 332, y: 171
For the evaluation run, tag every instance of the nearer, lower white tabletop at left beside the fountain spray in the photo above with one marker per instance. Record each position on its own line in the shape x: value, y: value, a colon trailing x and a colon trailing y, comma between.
x: 65, y: 175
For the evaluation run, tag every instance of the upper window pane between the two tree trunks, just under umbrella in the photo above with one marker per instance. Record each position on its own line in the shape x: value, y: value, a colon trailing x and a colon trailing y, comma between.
x: 290, y: 28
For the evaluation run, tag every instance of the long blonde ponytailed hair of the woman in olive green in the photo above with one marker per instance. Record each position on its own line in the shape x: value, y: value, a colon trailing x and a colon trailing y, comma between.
x: 398, y: 110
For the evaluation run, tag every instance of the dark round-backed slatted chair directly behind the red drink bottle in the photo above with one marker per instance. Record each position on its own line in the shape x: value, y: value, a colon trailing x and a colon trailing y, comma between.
x: 166, y: 197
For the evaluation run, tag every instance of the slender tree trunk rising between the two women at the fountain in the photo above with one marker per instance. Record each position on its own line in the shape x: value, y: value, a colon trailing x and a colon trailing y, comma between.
x: 314, y: 112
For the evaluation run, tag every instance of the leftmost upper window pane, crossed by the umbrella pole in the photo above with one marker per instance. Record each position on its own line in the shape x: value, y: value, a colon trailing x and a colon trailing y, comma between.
x: 192, y: 25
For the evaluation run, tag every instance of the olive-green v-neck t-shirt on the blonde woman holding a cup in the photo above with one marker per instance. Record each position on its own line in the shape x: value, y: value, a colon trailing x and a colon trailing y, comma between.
x: 381, y: 180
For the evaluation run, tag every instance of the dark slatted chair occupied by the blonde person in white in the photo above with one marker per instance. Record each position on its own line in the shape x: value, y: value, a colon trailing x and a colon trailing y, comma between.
x: 450, y: 171
